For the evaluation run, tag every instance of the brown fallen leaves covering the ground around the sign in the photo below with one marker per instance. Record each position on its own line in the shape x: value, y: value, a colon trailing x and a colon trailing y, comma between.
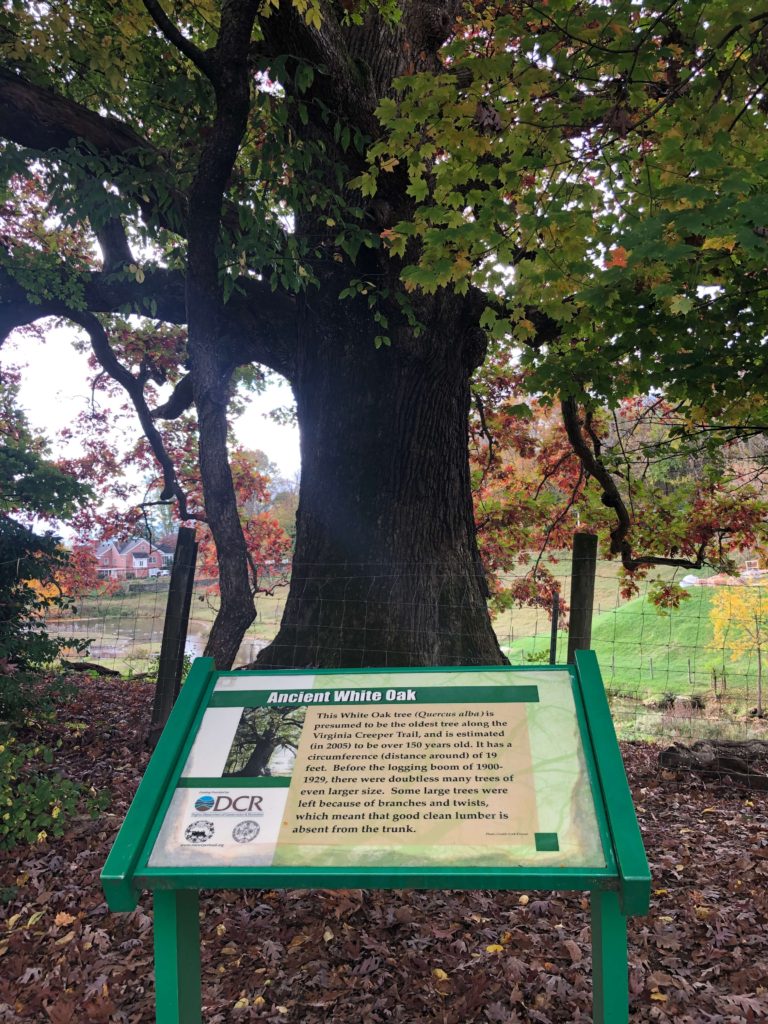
x: 701, y: 957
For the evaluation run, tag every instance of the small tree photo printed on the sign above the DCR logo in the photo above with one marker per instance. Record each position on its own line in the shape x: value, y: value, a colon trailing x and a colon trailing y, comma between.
x: 266, y: 742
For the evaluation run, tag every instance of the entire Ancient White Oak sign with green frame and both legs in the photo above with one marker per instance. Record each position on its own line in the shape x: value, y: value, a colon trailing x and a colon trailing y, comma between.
x: 456, y: 779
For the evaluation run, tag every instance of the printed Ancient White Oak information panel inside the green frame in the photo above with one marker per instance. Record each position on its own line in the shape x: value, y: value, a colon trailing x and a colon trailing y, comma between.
x: 405, y: 770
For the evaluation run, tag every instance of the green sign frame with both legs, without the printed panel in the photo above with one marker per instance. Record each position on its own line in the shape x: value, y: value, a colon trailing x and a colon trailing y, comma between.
x: 618, y: 890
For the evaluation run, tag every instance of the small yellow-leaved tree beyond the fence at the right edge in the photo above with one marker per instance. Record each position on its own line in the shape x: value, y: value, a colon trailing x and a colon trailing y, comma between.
x: 740, y: 619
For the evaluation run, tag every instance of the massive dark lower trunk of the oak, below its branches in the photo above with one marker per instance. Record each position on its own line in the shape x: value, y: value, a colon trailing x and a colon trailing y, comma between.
x: 387, y: 570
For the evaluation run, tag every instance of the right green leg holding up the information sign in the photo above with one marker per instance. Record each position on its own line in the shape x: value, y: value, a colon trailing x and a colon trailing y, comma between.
x: 610, y: 963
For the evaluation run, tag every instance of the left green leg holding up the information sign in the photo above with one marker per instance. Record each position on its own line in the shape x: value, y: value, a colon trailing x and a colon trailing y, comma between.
x: 178, y: 958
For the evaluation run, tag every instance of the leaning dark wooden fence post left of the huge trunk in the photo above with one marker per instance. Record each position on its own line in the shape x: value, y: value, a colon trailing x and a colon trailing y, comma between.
x: 172, y: 662
